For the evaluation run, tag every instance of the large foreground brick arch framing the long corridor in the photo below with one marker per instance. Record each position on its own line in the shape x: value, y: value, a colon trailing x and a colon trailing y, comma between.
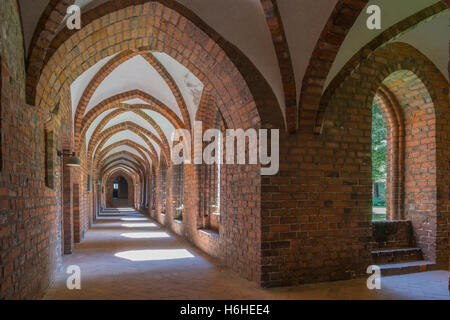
x: 220, y: 64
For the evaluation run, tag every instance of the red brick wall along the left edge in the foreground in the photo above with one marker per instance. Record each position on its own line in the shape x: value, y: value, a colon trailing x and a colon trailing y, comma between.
x: 29, y: 211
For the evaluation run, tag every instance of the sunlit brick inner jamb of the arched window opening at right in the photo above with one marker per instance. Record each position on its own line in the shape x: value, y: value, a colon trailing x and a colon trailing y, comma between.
x: 420, y: 200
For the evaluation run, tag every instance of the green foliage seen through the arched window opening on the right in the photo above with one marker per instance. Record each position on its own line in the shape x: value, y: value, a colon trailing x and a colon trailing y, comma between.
x: 379, y: 145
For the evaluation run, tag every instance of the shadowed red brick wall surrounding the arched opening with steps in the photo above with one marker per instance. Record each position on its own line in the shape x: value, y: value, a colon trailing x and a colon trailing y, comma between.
x: 317, y: 210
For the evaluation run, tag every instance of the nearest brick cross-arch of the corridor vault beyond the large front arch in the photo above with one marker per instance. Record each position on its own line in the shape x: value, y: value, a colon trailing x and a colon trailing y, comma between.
x: 115, y: 102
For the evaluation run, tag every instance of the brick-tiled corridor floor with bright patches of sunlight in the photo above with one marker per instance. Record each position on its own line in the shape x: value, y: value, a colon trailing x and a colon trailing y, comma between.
x: 127, y: 256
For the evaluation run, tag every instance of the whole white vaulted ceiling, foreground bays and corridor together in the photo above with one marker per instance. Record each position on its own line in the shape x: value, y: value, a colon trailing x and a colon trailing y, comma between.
x: 152, y: 94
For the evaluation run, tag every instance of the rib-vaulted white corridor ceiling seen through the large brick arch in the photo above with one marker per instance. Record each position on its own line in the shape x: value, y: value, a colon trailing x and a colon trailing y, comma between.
x: 133, y: 129
